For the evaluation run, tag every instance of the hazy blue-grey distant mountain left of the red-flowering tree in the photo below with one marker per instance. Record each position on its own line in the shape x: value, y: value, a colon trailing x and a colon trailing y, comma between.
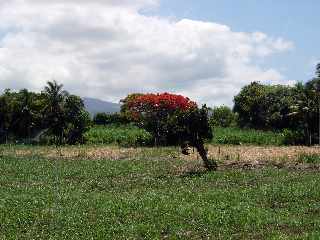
x: 94, y: 106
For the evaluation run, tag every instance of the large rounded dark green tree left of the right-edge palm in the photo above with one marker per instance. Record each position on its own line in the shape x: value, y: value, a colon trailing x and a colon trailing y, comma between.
x: 264, y: 106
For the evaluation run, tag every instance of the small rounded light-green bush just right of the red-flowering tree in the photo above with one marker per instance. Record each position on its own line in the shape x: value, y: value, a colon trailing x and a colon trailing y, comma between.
x: 222, y: 117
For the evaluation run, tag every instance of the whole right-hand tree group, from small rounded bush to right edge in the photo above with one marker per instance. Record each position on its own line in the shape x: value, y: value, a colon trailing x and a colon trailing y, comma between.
x: 295, y: 110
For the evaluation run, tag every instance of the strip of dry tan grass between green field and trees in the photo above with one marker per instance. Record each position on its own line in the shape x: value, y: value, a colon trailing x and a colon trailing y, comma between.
x: 224, y: 154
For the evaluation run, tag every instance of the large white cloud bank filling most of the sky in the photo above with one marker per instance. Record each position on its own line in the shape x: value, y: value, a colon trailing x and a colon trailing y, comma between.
x: 107, y: 49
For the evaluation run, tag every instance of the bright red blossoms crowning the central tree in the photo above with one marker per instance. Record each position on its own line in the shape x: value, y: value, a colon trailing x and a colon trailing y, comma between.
x: 158, y: 102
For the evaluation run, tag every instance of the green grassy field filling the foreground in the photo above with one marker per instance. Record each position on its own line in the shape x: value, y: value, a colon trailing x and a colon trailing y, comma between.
x: 149, y: 197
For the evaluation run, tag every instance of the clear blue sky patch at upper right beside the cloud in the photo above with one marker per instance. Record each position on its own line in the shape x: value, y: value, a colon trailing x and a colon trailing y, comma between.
x: 295, y: 20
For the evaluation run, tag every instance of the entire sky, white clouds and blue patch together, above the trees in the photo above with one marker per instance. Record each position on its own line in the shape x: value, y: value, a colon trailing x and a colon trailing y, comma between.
x: 206, y: 49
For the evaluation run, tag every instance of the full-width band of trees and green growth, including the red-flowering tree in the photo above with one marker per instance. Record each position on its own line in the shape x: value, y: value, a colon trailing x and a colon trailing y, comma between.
x: 55, y: 116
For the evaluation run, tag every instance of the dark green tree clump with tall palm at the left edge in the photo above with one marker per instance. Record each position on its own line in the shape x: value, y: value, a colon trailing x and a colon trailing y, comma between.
x: 52, y: 116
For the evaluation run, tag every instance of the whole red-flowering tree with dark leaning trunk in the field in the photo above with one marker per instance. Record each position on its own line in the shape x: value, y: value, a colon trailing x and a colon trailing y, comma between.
x: 172, y: 119
